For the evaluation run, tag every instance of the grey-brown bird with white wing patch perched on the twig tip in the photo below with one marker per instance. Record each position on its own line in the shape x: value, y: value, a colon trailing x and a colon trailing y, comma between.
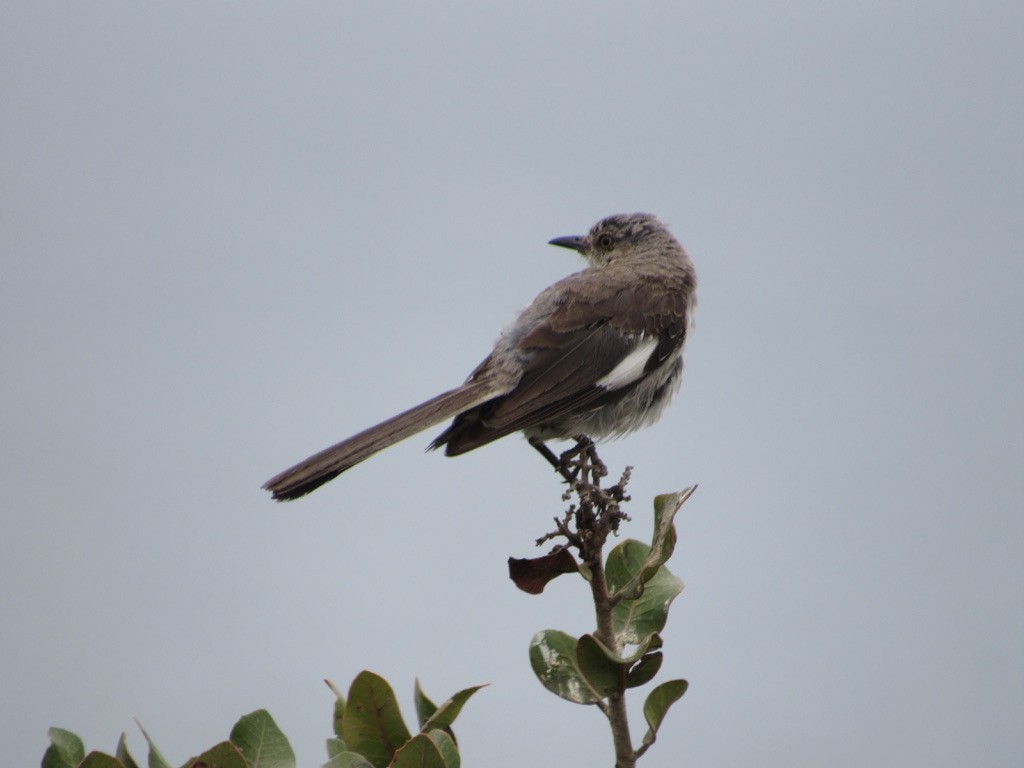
x: 599, y: 354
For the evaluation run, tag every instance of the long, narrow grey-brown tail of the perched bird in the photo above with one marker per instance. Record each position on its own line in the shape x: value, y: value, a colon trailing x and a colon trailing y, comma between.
x: 328, y: 464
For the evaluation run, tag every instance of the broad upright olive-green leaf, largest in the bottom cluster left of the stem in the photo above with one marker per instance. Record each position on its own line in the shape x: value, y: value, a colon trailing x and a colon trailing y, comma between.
x: 373, y: 724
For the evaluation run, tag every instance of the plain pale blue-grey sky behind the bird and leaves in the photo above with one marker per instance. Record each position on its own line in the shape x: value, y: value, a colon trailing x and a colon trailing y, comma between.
x: 233, y: 234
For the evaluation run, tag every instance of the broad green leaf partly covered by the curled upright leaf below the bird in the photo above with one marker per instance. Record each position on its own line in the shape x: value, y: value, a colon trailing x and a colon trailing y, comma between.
x: 635, y: 619
